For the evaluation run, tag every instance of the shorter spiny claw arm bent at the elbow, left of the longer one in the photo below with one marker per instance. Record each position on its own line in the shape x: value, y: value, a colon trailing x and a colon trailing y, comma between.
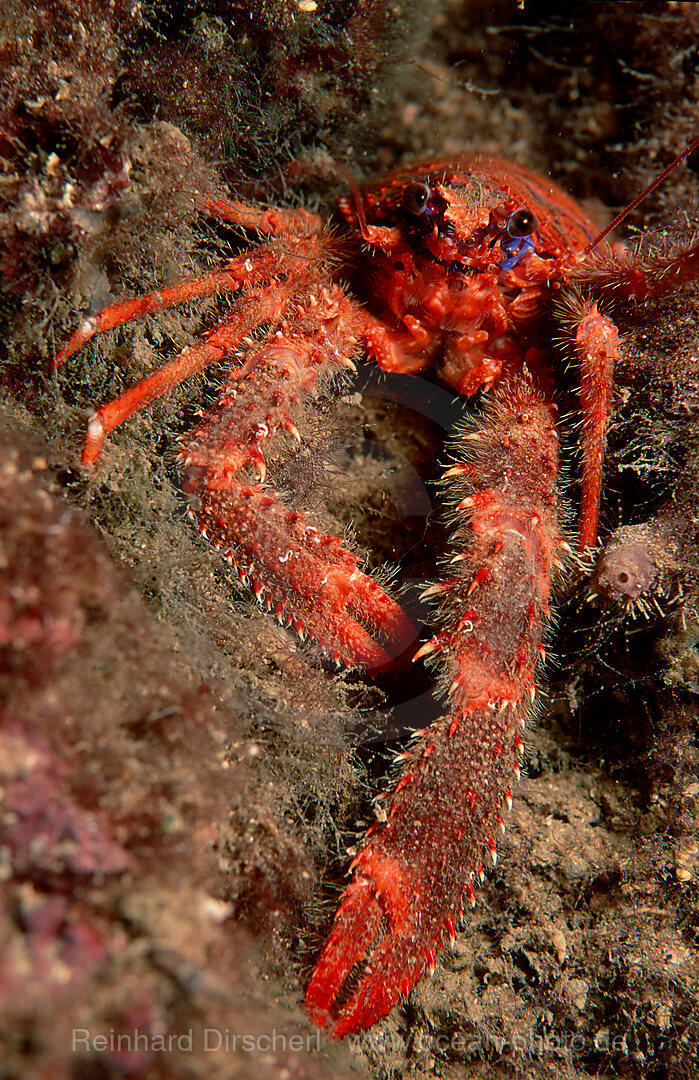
x: 306, y: 578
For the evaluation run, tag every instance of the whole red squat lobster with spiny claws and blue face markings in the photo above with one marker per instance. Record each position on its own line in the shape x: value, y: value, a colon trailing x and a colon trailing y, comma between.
x: 460, y: 263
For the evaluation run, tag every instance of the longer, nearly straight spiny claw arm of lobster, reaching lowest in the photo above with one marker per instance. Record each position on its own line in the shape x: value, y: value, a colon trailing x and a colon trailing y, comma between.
x: 413, y: 871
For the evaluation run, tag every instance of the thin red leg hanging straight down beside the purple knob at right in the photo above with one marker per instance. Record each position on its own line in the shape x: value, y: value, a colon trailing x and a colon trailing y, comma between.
x: 597, y: 344
